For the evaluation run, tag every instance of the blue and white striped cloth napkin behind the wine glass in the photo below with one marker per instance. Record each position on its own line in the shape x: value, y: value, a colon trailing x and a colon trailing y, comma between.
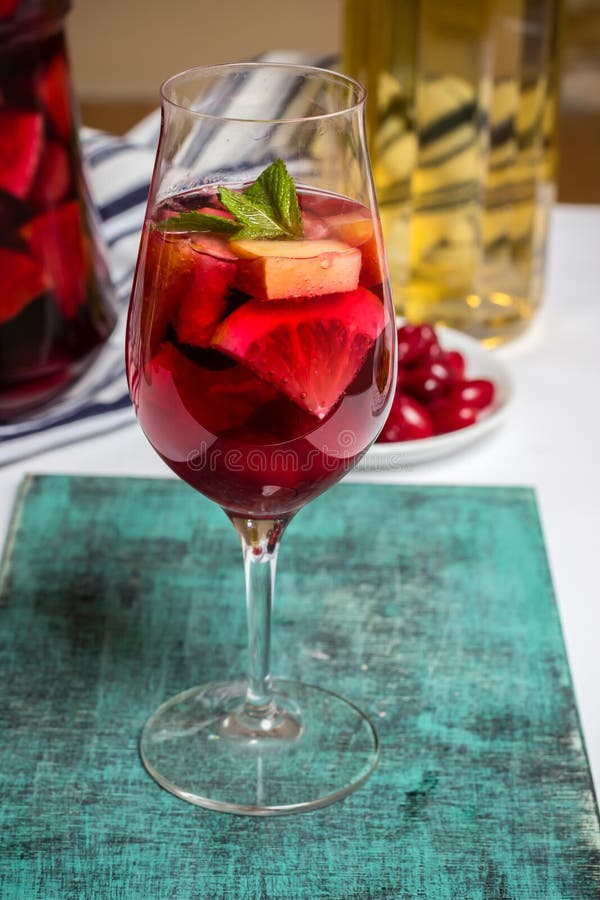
x: 119, y: 172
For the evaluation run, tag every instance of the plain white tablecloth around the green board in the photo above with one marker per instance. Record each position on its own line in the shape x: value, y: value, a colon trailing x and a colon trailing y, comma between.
x: 550, y: 440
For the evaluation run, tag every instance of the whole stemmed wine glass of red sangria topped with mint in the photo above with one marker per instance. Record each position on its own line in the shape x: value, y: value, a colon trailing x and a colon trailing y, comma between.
x: 261, y: 364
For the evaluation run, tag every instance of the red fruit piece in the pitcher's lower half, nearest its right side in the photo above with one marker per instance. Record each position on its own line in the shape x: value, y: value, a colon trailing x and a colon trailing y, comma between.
x: 56, y: 241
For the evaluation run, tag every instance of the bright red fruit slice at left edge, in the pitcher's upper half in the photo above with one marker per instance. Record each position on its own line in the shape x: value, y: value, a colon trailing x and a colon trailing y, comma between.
x: 21, y: 139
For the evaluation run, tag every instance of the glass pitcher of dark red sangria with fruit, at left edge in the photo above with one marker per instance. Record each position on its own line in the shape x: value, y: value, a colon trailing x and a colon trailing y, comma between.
x: 56, y: 304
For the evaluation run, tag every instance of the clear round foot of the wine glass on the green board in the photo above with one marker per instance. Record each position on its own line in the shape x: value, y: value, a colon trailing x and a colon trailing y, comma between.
x: 316, y: 749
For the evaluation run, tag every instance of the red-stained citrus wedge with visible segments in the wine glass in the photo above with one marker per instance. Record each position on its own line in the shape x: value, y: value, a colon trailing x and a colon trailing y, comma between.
x: 310, y: 351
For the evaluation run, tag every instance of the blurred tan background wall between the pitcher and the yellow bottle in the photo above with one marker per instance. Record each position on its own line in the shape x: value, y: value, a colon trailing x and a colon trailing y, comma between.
x: 124, y: 49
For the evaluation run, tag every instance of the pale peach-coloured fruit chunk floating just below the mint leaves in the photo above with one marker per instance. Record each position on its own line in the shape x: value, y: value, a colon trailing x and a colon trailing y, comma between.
x: 281, y: 270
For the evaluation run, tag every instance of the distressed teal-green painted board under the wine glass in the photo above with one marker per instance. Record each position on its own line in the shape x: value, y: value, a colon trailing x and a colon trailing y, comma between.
x: 432, y: 608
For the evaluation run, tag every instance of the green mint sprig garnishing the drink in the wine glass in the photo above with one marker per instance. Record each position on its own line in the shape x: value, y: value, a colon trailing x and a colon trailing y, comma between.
x: 267, y: 209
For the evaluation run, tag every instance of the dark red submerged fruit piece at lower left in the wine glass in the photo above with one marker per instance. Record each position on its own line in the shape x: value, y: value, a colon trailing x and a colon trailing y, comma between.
x: 218, y: 400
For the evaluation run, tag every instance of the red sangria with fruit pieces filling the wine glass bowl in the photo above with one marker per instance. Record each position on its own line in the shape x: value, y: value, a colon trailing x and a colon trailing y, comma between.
x: 260, y: 368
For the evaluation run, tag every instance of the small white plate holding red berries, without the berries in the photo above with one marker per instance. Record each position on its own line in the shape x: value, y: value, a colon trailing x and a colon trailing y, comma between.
x: 480, y: 363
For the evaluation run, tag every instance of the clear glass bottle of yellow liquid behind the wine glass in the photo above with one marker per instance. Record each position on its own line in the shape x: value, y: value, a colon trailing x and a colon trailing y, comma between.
x: 461, y: 117
